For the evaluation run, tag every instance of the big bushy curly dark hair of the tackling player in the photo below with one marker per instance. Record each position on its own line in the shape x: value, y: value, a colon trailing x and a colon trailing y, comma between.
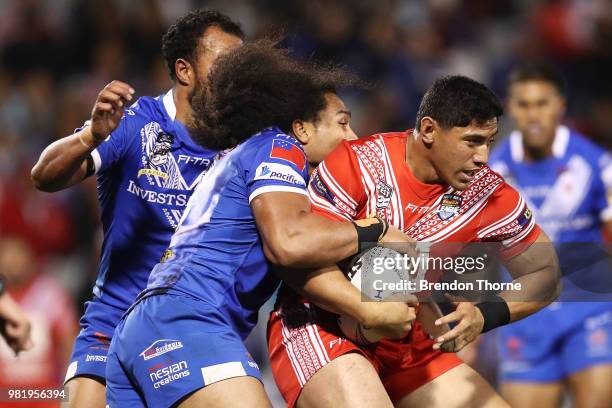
x: 259, y: 85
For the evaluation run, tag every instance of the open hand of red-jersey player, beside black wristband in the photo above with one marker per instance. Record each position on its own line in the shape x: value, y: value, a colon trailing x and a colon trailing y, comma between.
x: 469, y: 326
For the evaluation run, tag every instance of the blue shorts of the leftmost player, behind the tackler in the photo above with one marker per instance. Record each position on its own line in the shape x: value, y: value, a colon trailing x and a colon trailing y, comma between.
x: 90, y: 349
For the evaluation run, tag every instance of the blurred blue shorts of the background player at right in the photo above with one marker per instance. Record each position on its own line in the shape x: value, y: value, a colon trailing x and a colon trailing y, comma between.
x: 556, y: 342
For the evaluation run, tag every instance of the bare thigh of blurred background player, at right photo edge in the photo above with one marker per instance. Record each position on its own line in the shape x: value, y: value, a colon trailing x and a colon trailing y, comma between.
x: 592, y: 388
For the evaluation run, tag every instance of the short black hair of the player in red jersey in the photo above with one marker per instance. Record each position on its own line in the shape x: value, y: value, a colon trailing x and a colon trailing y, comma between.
x: 457, y: 101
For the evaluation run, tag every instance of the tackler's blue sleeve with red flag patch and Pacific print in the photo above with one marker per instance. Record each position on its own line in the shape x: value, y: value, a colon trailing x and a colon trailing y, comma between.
x: 278, y: 164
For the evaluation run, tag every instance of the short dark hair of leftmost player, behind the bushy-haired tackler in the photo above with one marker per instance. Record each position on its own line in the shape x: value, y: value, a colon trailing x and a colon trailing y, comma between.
x: 181, y: 39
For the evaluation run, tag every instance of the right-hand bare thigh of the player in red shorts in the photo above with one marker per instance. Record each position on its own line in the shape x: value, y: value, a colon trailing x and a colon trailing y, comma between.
x: 459, y: 387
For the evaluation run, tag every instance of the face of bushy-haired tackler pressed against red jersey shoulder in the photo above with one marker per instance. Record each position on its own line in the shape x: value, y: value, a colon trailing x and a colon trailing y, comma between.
x: 332, y: 127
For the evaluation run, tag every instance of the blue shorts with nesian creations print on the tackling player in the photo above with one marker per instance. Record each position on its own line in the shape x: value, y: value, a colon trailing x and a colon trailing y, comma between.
x: 169, y: 346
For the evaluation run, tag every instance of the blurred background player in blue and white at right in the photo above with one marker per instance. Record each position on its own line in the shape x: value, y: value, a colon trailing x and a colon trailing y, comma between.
x: 567, y: 181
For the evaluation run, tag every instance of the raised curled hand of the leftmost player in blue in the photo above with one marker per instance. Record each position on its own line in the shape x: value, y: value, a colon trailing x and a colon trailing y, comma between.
x: 108, y: 109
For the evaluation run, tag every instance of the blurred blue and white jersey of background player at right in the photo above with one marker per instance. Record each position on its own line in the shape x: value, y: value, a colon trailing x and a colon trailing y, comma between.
x: 570, y: 194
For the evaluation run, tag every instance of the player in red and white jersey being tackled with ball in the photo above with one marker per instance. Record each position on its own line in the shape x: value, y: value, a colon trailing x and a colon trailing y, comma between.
x: 404, y: 177
